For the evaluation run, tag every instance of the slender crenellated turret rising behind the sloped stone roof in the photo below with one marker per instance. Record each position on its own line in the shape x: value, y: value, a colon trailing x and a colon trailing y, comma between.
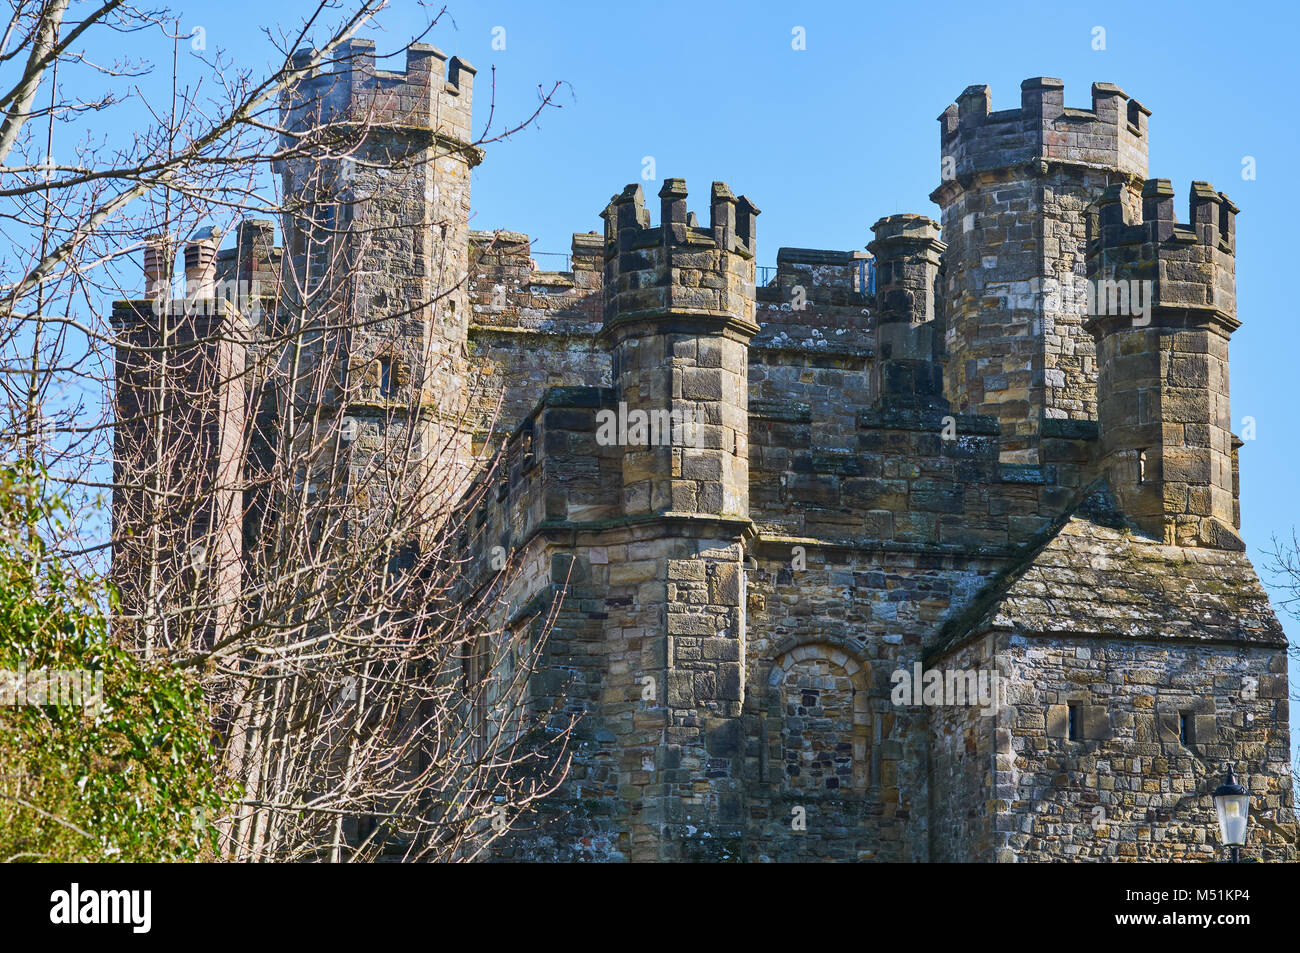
x: 1164, y: 306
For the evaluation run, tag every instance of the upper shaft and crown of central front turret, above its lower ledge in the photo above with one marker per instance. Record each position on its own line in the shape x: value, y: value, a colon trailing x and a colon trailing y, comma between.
x: 679, y: 315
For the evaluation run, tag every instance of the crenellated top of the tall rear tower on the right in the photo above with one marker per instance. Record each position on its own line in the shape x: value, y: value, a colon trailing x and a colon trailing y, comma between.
x: 1111, y: 135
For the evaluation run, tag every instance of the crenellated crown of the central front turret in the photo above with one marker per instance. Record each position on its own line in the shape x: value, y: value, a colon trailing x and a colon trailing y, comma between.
x: 678, y: 267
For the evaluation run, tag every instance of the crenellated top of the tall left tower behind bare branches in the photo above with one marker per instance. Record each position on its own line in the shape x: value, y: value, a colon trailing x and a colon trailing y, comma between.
x: 434, y: 94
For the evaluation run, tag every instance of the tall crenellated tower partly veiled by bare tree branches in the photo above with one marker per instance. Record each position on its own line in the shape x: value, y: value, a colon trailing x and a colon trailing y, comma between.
x: 382, y: 229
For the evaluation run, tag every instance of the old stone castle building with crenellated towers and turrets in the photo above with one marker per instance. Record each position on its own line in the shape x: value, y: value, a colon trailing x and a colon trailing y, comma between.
x: 747, y: 519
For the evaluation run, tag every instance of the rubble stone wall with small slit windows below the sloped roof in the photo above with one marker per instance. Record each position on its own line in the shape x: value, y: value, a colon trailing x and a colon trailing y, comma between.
x: 1156, y: 725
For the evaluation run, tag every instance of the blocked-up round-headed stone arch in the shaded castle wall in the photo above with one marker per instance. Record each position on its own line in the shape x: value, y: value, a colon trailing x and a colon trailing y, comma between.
x: 820, y: 695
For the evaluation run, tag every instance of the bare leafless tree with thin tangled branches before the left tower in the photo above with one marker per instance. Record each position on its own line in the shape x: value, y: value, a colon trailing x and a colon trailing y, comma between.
x: 309, y: 565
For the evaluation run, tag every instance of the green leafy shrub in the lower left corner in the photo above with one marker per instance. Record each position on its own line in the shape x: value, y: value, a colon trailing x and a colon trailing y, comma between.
x: 129, y: 778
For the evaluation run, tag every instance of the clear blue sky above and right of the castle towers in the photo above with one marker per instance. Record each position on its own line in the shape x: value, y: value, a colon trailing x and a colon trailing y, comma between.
x: 830, y: 138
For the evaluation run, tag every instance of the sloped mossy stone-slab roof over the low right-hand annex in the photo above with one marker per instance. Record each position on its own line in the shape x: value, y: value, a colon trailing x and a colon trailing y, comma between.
x: 1093, y: 575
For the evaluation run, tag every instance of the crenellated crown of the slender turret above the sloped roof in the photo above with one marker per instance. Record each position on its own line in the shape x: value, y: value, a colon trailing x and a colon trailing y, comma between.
x: 1189, y: 266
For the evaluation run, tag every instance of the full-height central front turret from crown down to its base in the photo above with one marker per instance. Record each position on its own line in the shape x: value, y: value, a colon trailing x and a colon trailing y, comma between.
x: 679, y: 317
